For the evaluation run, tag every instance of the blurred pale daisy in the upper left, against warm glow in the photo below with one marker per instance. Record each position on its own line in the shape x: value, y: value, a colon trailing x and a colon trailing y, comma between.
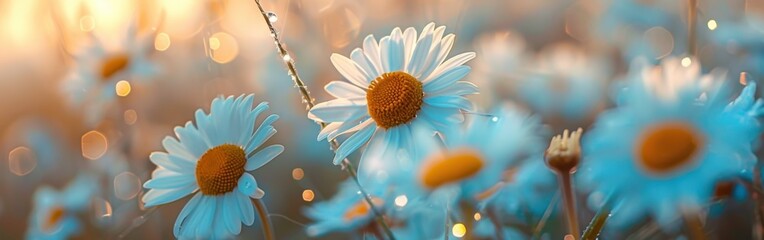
x: 91, y: 82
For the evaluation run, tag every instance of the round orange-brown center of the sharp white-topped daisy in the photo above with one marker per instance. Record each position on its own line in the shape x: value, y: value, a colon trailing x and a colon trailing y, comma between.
x: 394, y: 99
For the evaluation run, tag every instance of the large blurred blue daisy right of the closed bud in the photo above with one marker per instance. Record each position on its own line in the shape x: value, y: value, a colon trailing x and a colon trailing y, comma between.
x: 663, y: 156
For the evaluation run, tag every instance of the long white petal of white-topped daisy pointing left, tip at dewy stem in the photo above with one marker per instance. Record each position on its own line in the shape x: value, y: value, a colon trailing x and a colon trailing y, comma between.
x: 338, y: 110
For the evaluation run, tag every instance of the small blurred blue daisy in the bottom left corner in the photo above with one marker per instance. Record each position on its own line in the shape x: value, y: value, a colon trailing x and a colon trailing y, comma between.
x: 54, y: 215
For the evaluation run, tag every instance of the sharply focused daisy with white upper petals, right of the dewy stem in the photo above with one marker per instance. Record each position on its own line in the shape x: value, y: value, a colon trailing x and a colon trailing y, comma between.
x: 401, y: 83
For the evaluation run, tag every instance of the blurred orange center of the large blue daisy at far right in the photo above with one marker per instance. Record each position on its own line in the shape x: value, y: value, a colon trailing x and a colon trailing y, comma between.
x: 668, y: 146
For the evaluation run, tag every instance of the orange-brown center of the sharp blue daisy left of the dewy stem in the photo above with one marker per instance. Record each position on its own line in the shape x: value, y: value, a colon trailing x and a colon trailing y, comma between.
x: 219, y: 169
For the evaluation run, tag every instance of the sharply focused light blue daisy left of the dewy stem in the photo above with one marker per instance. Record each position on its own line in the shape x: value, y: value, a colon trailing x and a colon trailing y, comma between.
x: 212, y: 159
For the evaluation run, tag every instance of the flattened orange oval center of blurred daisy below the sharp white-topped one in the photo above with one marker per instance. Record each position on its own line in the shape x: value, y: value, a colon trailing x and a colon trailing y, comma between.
x: 451, y: 167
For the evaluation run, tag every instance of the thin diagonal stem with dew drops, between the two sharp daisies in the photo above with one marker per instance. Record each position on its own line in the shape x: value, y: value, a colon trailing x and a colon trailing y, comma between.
x: 309, y: 103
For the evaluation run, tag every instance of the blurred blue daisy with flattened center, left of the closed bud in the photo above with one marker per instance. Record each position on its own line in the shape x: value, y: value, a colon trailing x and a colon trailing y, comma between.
x: 476, y: 157
